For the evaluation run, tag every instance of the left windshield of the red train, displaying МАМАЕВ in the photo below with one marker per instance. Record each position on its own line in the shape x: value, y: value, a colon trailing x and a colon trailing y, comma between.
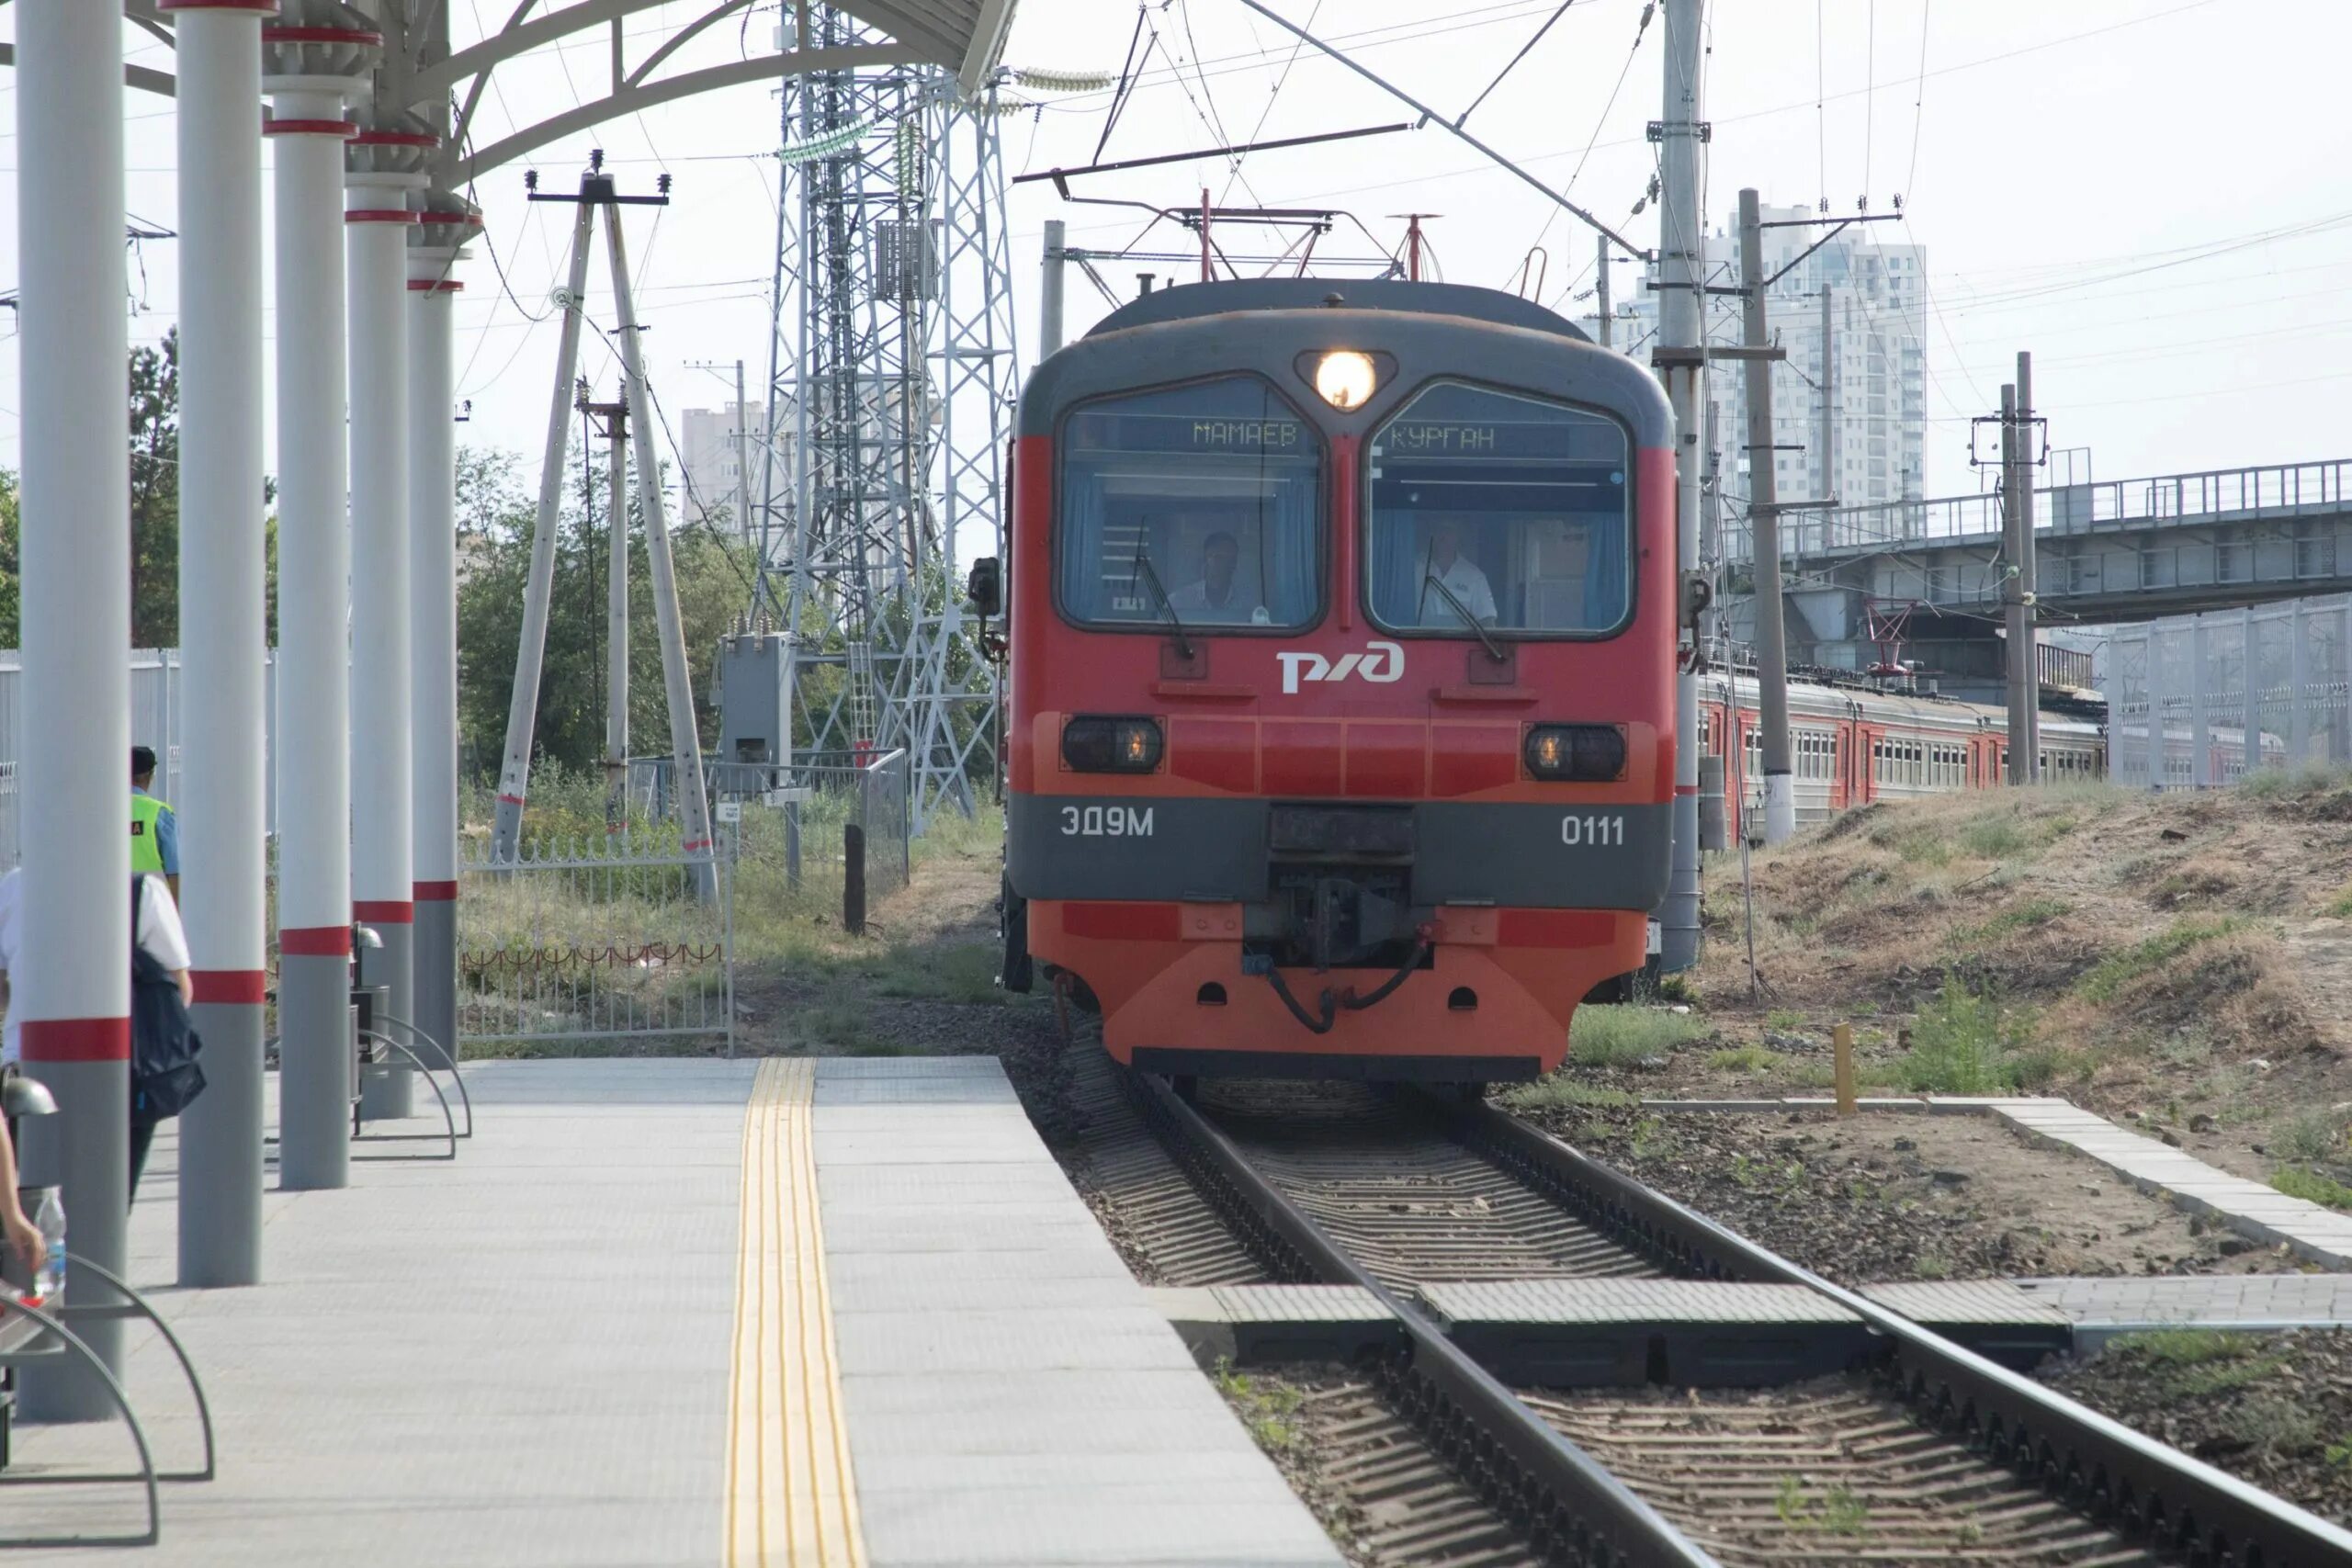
x: 1203, y: 500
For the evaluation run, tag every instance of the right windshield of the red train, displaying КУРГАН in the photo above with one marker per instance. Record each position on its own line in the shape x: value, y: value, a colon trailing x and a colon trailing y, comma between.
x: 1499, y: 509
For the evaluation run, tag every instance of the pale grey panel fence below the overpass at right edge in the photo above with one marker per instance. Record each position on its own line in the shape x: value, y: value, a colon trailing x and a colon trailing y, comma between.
x: 2207, y: 699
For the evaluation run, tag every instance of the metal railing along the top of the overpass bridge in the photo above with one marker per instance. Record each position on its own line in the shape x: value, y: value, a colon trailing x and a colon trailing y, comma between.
x: 2221, y: 495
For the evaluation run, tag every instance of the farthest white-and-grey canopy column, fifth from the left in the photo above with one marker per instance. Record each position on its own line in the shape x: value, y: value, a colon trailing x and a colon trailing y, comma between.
x: 436, y: 248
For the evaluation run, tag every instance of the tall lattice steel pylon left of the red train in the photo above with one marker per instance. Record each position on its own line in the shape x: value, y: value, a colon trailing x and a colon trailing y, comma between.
x: 890, y: 391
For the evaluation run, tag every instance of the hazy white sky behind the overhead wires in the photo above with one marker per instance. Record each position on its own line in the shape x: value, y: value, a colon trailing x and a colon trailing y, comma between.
x: 2149, y: 194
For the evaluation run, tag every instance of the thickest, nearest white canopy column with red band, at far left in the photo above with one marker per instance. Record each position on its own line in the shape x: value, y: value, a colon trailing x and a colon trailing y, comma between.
x: 72, y: 981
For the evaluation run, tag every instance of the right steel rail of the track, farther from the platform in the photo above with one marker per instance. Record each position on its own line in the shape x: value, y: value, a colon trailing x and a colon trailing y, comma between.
x: 2118, y: 1477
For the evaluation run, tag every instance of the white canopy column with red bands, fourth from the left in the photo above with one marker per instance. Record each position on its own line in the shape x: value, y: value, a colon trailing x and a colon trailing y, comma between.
x: 385, y: 173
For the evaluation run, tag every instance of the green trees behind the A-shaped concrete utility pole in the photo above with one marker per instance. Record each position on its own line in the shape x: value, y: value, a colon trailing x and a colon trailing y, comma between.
x: 495, y: 514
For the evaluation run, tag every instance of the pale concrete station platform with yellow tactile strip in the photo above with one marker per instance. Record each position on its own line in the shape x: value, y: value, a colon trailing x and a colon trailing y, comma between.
x: 688, y: 1313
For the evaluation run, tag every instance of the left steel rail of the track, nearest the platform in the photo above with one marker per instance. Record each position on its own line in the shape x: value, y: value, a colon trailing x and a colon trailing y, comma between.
x: 1568, y: 1503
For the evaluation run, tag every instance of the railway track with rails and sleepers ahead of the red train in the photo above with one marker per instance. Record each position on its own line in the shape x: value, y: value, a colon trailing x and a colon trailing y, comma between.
x: 1923, y: 1452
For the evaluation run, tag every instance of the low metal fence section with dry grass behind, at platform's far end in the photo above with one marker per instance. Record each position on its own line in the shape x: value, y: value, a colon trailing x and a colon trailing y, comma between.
x: 596, y: 942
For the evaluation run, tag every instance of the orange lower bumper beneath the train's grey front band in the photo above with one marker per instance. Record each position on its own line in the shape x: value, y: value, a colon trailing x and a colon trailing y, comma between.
x: 1170, y: 977
